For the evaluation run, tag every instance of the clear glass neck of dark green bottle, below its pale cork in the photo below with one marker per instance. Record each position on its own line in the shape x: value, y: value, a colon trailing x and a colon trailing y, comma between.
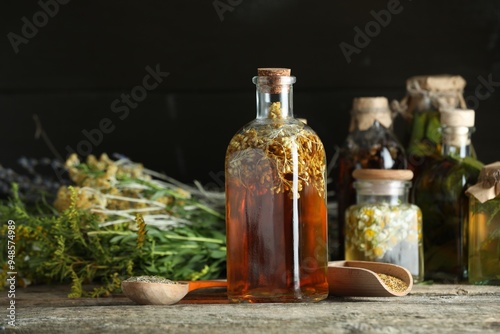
x: 456, y: 141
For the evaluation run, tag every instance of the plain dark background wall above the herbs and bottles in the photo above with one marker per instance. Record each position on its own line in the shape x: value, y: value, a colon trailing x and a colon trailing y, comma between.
x: 90, y: 52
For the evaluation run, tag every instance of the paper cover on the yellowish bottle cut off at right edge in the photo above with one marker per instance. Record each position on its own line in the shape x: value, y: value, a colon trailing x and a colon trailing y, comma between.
x: 488, y: 184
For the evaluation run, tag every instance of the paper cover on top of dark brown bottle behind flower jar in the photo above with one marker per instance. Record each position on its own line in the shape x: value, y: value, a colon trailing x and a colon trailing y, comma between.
x: 367, y: 110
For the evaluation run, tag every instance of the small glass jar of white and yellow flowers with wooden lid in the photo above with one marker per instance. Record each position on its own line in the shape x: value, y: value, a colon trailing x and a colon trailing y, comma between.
x: 383, y: 226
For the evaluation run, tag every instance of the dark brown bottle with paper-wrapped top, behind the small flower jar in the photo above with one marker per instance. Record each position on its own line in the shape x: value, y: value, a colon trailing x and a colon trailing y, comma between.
x: 370, y: 143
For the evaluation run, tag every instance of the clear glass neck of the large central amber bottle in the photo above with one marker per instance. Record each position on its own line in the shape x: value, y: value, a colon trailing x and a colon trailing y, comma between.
x: 274, y: 96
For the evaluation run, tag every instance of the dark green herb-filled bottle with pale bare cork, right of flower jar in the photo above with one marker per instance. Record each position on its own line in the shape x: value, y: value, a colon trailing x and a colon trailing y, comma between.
x: 439, y: 191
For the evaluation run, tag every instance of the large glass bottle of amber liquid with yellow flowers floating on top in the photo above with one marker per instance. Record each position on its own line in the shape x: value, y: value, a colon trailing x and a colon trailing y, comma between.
x: 276, y: 213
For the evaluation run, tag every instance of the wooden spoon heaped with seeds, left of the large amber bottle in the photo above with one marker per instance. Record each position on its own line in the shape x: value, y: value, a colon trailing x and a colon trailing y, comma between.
x: 164, y: 293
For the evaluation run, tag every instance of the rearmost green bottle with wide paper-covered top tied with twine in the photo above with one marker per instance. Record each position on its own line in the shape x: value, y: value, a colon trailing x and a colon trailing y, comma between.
x: 426, y: 96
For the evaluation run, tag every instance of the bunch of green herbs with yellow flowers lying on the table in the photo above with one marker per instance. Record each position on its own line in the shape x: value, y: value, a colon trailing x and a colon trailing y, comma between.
x: 117, y: 220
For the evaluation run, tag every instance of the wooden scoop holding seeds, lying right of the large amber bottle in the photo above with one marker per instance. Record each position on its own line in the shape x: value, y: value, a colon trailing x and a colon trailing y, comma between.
x: 361, y: 279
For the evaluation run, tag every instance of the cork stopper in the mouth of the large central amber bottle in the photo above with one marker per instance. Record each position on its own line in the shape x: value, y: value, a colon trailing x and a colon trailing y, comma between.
x: 274, y: 80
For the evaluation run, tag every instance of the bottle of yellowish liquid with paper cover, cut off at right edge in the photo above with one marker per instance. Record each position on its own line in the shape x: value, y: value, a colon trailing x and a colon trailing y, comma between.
x: 484, y: 227
